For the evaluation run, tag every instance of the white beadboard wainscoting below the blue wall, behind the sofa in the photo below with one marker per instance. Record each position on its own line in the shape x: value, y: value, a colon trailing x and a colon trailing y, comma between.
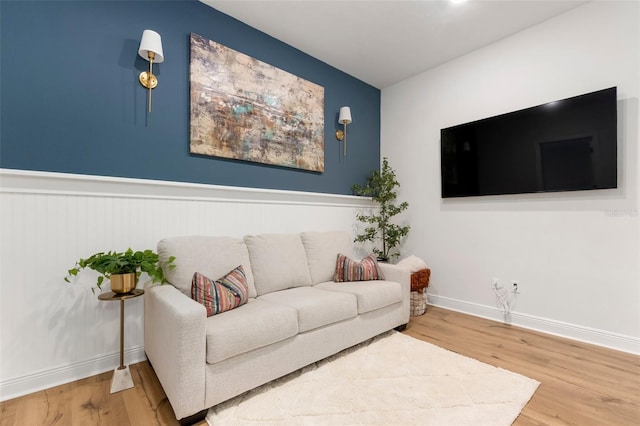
x: 52, y: 332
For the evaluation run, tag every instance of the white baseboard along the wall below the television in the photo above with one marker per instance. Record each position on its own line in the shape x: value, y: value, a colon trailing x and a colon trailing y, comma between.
x: 593, y: 336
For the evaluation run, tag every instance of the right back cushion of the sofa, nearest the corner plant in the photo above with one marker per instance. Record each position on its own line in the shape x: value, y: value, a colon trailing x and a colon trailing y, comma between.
x: 321, y: 249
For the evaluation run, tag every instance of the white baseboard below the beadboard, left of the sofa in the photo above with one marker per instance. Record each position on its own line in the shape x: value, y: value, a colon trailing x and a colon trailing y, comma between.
x: 46, y: 379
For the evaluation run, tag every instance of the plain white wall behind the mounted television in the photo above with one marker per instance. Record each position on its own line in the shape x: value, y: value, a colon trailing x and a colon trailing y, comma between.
x: 576, y: 254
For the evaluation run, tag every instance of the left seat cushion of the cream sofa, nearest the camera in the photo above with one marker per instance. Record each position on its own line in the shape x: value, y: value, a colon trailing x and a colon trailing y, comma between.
x: 248, y: 327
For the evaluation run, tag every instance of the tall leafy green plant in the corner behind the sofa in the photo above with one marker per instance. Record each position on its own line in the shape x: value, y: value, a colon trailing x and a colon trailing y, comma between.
x: 382, y: 186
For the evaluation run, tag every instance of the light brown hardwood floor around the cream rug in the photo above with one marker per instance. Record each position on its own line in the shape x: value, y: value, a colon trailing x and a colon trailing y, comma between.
x: 581, y: 384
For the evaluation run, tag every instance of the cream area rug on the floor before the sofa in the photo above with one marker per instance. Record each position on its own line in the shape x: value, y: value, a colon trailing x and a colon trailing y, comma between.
x: 392, y: 379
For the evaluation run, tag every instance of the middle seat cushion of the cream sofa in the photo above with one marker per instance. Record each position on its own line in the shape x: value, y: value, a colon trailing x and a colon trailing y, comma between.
x: 315, y: 307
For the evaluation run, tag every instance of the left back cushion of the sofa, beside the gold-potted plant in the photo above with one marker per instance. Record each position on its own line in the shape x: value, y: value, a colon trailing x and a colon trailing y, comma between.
x: 210, y: 256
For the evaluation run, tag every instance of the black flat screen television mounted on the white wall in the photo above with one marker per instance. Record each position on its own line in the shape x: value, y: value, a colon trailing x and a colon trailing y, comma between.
x: 565, y: 145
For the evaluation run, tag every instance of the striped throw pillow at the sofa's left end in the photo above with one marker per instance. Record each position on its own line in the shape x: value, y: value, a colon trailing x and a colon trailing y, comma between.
x: 223, y: 294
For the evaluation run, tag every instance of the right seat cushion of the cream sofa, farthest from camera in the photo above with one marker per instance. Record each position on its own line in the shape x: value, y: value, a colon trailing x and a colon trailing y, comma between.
x: 371, y: 295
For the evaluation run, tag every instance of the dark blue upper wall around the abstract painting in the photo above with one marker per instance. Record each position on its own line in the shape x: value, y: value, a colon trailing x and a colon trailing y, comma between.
x: 71, y: 101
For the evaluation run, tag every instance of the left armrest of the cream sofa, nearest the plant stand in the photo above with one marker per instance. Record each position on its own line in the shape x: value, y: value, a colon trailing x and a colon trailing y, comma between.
x: 175, y: 343
